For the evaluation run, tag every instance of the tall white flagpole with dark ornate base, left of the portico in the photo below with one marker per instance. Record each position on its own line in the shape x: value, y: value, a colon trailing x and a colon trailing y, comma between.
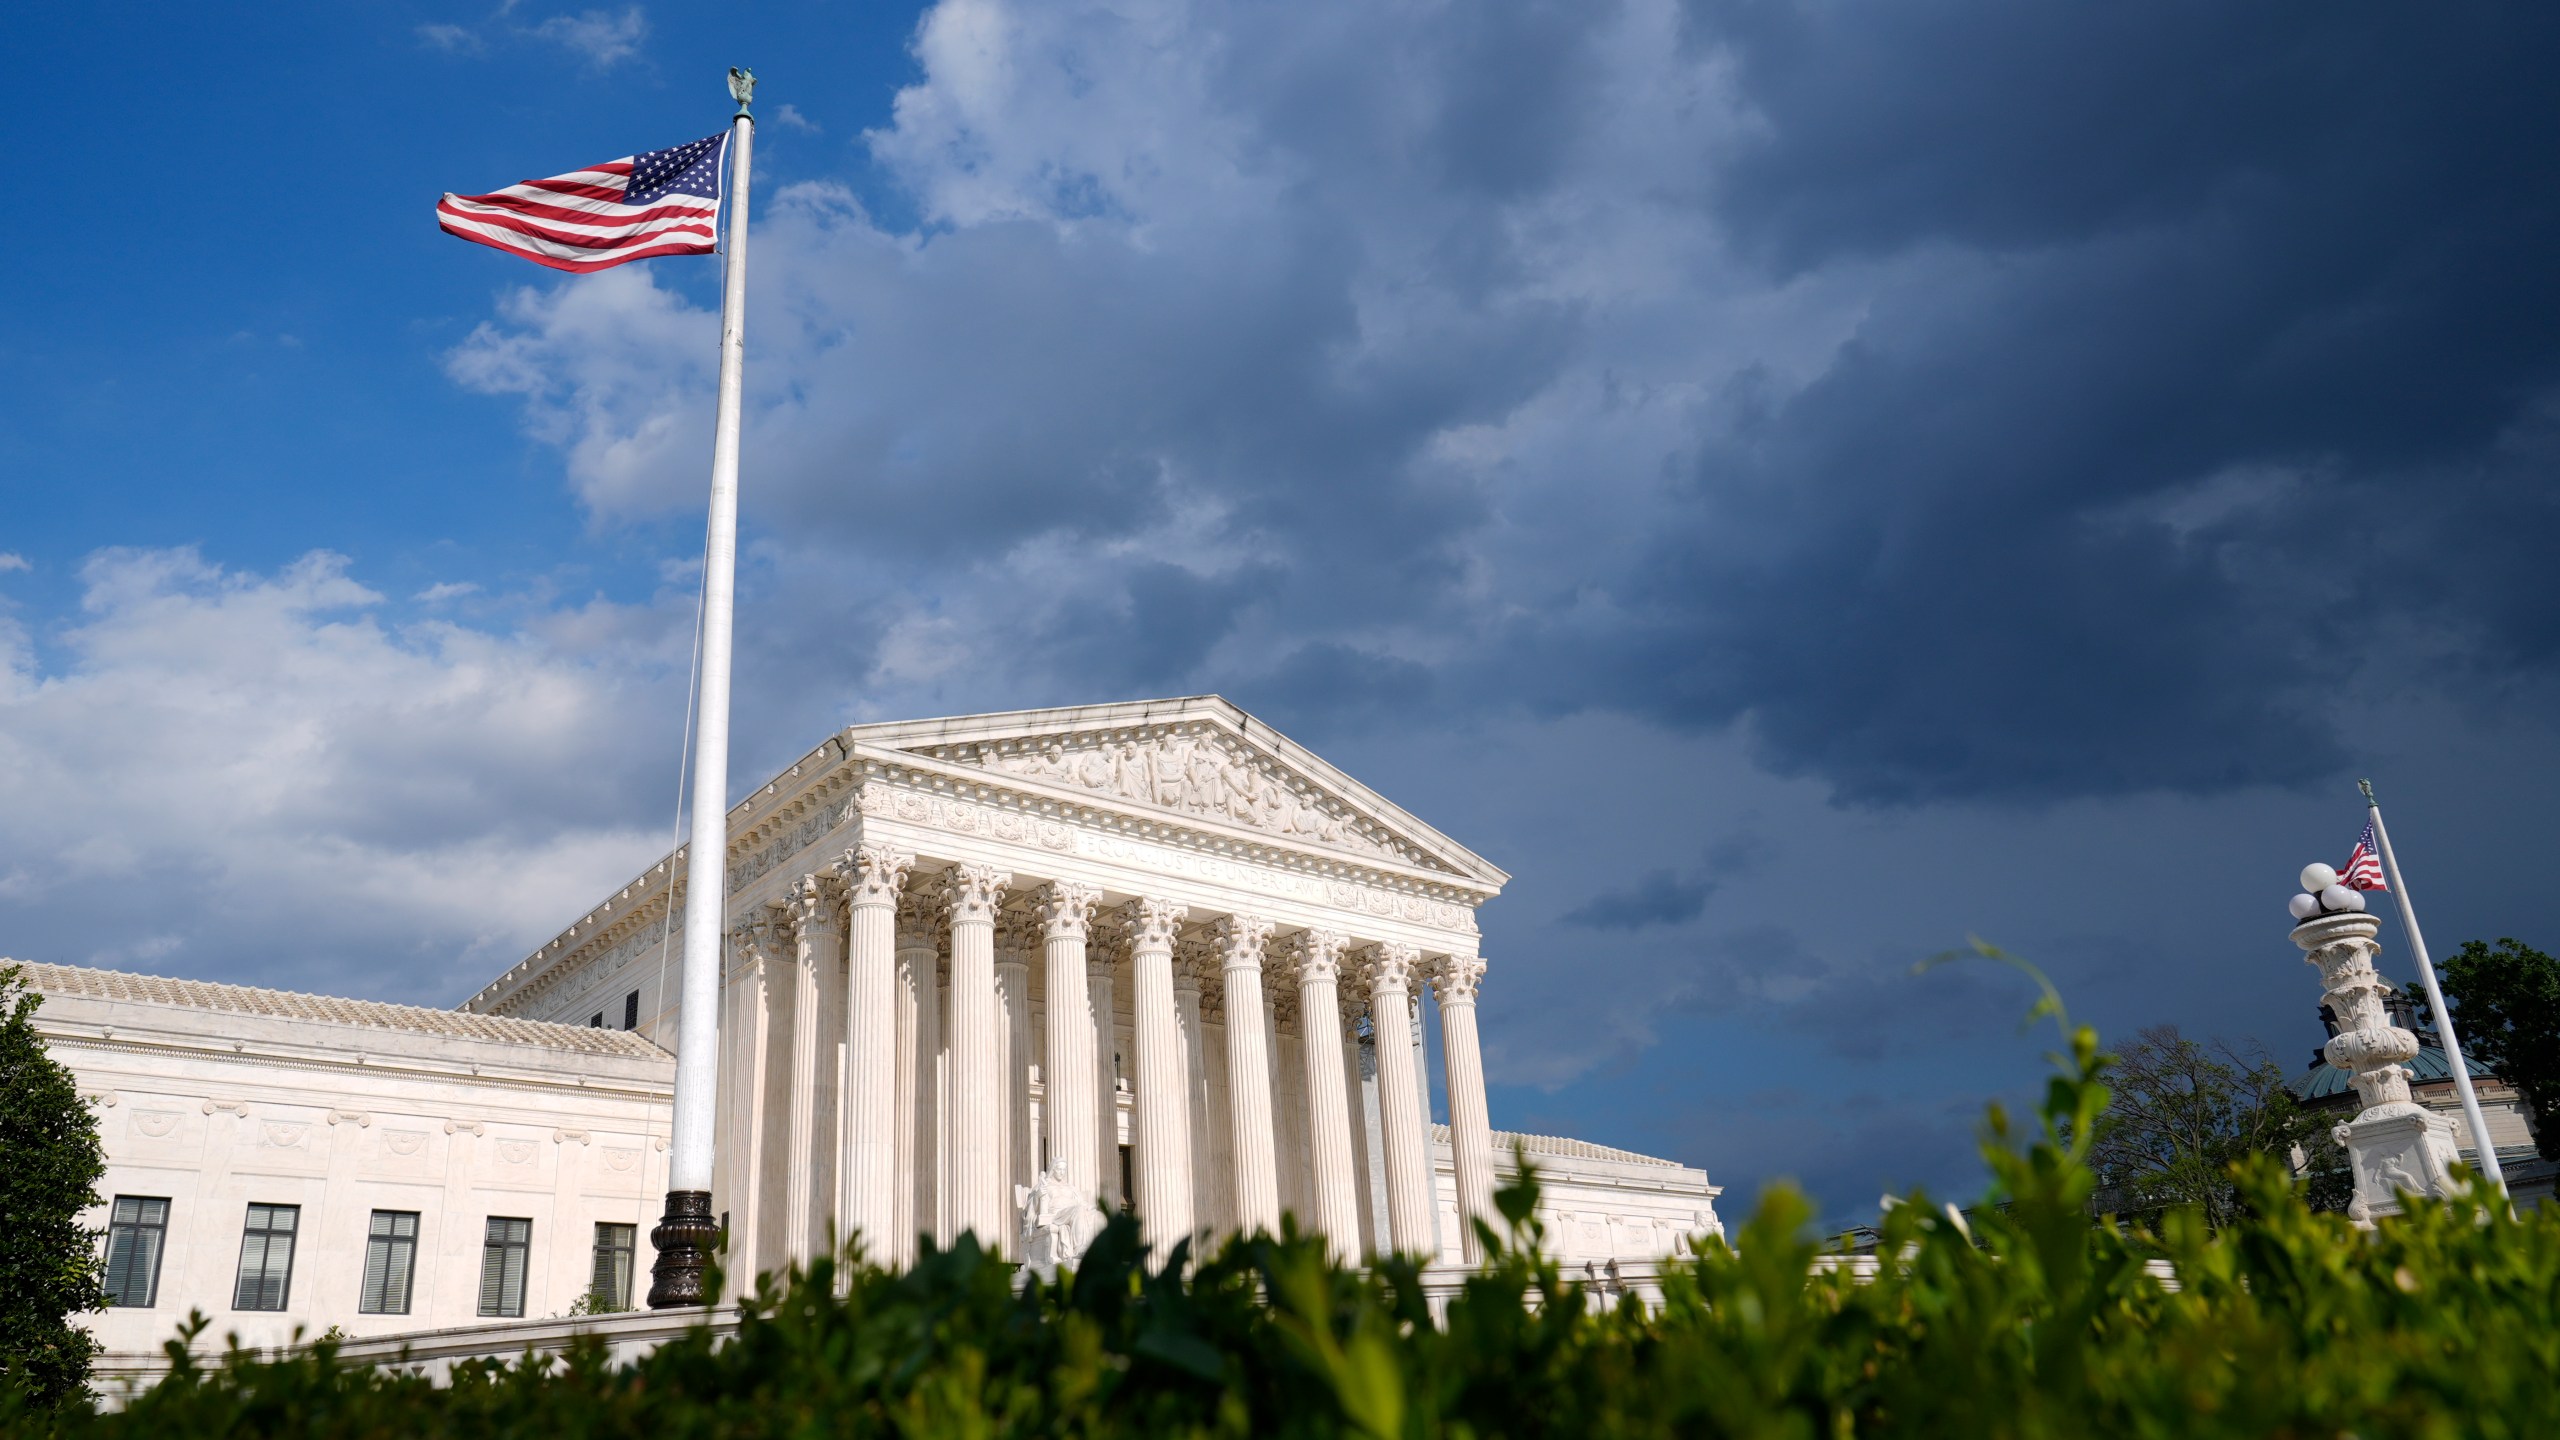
x: 687, y: 1236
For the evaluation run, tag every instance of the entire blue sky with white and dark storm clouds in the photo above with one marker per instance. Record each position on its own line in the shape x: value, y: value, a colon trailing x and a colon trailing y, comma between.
x: 1793, y: 483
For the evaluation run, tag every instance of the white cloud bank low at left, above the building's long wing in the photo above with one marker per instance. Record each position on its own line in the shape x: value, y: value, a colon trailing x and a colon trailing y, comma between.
x: 265, y: 778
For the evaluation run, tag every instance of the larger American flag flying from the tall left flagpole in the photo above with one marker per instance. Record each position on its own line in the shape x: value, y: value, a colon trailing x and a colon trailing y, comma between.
x: 654, y: 204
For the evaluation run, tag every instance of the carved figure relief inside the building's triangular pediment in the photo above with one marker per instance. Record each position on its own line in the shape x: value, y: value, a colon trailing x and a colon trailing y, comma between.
x: 1192, y: 775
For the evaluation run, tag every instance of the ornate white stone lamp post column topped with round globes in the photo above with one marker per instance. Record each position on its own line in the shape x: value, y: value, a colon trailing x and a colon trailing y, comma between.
x: 2395, y: 1147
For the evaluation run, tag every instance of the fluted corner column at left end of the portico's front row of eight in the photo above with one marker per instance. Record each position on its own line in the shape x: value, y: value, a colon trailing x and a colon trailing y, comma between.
x: 869, y: 1182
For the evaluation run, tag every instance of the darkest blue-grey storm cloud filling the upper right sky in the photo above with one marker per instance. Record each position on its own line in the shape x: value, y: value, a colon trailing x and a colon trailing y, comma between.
x: 2136, y: 252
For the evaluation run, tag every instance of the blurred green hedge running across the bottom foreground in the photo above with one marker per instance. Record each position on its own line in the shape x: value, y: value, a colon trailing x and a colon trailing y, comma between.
x: 2029, y: 1323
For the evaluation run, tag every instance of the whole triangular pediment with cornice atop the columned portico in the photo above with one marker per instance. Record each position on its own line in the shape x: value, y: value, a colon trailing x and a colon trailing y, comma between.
x: 1202, y: 760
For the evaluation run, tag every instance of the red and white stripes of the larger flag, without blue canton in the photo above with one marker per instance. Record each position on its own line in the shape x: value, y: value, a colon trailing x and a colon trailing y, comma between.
x: 577, y: 222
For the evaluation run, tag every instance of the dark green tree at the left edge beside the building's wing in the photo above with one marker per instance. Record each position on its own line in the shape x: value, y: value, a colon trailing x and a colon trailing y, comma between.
x: 50, y: 1264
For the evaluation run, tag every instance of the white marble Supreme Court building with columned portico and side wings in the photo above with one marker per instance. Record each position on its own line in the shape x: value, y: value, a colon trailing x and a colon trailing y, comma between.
x: 1156, y: 944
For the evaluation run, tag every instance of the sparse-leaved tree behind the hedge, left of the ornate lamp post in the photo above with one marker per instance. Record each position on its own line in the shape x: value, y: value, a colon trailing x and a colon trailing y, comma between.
x: 2182, y: 1113
